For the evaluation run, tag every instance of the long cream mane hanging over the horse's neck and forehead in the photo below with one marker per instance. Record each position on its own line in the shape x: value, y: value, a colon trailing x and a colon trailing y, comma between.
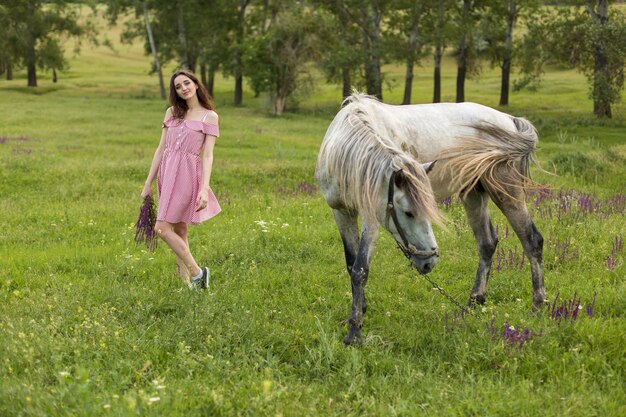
x: 360, y: 158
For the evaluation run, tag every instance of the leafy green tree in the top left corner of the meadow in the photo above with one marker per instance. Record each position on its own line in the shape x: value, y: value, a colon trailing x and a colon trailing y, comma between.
x: 34, y: 30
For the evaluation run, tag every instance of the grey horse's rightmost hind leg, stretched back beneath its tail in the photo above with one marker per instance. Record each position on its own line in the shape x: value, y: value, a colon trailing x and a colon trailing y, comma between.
x: 514, y: 208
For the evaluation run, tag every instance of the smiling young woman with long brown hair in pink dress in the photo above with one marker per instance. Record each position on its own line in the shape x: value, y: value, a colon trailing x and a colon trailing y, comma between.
x: 182, y: 165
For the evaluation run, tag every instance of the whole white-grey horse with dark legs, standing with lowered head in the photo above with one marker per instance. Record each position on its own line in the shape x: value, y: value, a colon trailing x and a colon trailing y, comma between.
x: 371, y: 165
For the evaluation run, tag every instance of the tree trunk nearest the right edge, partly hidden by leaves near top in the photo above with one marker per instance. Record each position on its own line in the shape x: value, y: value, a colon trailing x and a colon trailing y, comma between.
x: 601, y: 104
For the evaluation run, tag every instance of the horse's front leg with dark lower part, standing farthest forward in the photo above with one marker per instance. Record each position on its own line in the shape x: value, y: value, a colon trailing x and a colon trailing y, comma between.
x: 358, y: 278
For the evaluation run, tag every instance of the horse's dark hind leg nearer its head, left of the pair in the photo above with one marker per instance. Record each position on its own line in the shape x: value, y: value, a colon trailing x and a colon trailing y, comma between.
x: 476, y: 207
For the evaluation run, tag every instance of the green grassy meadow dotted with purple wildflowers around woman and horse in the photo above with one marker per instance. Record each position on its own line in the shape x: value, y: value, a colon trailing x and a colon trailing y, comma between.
x: 92, y: 325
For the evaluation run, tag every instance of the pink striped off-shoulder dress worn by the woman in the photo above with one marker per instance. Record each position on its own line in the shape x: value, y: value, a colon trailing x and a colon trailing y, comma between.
x: 180, y: 174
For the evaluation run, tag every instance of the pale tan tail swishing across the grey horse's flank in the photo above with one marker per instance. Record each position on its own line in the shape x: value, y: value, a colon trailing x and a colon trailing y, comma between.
x: 499, y: 158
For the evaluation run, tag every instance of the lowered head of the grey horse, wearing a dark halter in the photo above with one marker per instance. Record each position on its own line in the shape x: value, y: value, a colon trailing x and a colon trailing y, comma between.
x: 409, y: 213
